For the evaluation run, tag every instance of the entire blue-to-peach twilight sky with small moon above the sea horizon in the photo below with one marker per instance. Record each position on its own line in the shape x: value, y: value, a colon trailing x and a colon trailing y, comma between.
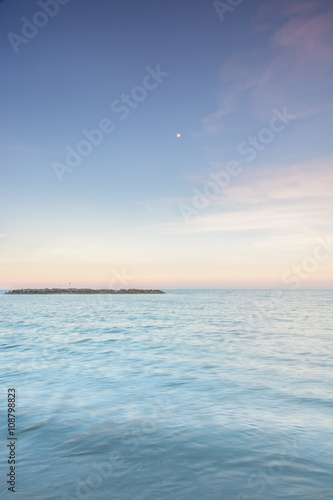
x: 166, y: 144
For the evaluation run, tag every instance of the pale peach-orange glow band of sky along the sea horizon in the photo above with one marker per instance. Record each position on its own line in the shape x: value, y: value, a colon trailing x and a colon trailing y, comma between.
x: 177, y: 275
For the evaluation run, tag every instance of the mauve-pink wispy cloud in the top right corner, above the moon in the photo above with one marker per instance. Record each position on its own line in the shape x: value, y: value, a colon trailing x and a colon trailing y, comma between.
x: 296, y: 58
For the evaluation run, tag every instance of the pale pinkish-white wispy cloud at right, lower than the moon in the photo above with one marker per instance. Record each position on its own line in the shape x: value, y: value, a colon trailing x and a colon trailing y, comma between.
x: 295, y: 200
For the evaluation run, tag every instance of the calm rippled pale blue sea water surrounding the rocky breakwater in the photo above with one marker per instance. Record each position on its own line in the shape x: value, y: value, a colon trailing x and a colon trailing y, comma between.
x: 188, y: 395
